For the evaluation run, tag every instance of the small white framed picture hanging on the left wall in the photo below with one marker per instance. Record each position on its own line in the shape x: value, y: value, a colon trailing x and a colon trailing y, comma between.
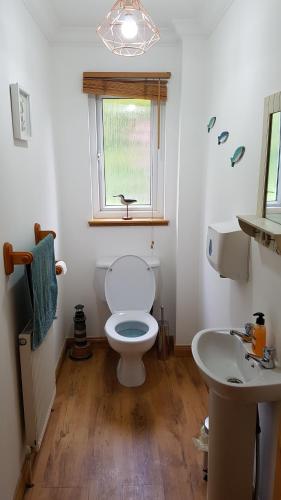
x: 20, y: 103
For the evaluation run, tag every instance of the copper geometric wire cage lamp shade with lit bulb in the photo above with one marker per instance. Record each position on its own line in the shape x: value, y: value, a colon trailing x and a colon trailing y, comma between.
x: 128, y: 29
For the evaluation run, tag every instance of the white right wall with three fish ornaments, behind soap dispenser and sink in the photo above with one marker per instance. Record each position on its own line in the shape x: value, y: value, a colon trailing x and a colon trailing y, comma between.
x: 243, y: 69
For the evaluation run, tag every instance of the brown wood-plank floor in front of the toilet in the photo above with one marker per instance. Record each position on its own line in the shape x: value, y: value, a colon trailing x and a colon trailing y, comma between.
x: 108, y: 442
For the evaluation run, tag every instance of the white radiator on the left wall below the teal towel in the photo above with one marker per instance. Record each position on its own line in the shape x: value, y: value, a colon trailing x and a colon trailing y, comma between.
x: 38, y: 384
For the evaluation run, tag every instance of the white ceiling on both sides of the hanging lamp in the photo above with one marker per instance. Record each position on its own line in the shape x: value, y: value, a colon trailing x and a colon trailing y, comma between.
x: 72, y: 20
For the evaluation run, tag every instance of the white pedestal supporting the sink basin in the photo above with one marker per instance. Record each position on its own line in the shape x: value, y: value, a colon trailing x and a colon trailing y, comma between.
x: 231, y: 448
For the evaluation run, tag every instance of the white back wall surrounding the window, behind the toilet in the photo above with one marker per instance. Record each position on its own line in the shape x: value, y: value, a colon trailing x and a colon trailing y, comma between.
x: 83, y: 245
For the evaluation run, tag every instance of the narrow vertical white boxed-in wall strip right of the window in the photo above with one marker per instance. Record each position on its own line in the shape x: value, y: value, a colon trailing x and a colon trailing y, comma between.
x: 192, y: 145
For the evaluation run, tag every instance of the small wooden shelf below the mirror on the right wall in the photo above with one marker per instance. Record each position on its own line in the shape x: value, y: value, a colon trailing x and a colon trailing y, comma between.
x: 265, y: 231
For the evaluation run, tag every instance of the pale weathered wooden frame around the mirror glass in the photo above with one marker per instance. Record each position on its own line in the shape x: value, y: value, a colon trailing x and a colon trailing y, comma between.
x: 272, y: 104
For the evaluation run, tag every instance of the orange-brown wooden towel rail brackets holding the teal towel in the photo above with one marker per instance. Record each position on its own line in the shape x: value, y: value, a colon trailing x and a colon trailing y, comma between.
x: 12, y: 258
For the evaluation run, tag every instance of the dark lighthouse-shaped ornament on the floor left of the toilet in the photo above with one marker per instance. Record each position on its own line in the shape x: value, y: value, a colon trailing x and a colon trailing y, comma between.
x: 81, y: 348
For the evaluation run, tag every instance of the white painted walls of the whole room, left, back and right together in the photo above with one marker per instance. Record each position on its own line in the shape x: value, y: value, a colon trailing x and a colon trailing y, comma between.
x: 228, y: 76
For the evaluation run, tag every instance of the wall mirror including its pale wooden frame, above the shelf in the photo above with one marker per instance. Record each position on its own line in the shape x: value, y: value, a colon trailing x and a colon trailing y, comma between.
x: 271, y: 161
